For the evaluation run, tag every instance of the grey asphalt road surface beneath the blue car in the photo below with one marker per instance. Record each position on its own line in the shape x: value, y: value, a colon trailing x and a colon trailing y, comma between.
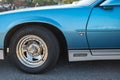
x: 91, y: 70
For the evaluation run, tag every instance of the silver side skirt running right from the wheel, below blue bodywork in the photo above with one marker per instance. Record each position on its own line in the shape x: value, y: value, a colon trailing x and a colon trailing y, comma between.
x: 85, y: 55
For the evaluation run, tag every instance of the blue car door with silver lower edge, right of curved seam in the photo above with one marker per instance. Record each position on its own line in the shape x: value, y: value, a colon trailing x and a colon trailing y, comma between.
x: 103, y: 29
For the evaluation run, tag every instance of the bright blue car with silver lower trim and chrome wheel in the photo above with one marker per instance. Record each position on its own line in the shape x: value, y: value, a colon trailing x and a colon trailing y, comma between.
x: 34, y: 38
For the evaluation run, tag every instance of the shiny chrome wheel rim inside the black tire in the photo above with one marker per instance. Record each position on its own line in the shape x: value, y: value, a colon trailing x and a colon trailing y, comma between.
x: 32, y: 51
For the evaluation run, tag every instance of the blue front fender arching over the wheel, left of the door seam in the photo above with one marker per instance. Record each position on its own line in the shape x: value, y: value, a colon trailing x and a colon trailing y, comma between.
x: 51, y: 16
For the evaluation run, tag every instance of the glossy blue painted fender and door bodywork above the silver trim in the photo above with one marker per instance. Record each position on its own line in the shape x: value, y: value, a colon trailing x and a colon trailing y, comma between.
x: 71, y: 20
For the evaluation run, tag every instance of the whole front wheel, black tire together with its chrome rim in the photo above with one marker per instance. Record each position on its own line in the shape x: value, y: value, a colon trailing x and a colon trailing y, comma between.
x: 32, y: 49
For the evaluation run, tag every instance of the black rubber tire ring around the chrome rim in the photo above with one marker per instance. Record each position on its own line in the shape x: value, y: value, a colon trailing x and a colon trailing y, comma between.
x: 49, y: 39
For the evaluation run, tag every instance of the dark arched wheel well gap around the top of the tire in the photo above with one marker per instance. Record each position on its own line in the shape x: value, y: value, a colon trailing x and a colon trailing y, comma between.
x: 58, y: 34
